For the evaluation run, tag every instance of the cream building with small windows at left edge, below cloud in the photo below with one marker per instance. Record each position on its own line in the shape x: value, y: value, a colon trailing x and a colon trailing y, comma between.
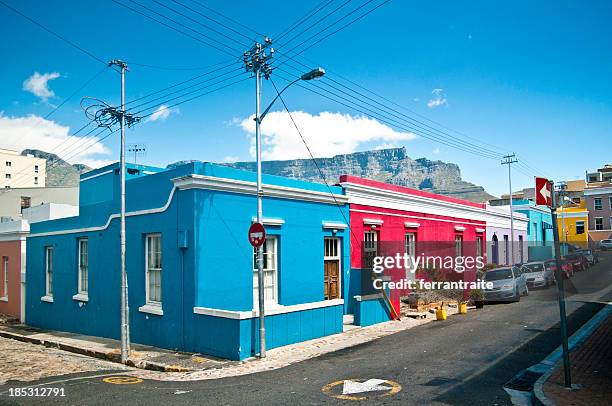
x: 19, y: 171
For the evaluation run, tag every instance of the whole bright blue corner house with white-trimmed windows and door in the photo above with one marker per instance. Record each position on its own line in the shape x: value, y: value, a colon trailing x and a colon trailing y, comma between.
x: 192, y: 285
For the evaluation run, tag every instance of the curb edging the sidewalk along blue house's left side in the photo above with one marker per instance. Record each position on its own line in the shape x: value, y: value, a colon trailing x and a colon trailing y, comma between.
x: 107, y: 356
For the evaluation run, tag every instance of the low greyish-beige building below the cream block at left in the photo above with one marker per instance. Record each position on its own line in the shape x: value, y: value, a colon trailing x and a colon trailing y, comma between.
x: 14, y: 201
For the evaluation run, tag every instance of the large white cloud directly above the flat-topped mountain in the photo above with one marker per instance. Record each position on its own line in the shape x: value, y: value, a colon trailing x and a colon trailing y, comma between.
x: 327, y: 134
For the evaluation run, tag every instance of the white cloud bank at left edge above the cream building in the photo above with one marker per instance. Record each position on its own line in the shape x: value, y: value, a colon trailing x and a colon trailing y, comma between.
x: 34, y: 132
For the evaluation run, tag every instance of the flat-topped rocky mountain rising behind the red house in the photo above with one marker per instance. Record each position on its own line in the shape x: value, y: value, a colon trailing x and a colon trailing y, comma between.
x: 391, y: 165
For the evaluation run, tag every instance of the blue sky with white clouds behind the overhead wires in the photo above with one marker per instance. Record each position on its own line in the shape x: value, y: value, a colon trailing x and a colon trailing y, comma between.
x: 529, y: 77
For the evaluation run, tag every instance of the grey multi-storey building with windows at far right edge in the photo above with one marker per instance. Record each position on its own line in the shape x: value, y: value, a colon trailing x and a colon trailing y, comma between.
x: 598, y: 199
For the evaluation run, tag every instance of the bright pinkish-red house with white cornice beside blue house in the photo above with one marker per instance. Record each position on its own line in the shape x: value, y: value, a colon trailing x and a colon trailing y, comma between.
x: 387, y: 219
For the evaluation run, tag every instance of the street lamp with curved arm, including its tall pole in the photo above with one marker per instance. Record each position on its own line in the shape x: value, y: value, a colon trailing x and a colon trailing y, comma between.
x: 259, y: 65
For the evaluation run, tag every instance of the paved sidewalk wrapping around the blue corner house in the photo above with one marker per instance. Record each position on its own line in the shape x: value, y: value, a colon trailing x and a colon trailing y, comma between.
x: 168, y: 365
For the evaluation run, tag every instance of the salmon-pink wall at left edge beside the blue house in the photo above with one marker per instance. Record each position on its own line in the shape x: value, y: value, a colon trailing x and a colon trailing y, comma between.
x: 12, y: 250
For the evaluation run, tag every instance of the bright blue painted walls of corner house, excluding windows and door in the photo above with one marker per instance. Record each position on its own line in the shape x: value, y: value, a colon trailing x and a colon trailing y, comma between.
x: 214, y: 271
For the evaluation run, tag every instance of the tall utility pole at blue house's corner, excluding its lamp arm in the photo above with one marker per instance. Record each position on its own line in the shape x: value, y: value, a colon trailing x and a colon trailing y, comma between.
x: 256, y: 61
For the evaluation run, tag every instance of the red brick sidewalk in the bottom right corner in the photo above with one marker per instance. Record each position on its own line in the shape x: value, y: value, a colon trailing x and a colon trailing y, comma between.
x: 591, y: 367
